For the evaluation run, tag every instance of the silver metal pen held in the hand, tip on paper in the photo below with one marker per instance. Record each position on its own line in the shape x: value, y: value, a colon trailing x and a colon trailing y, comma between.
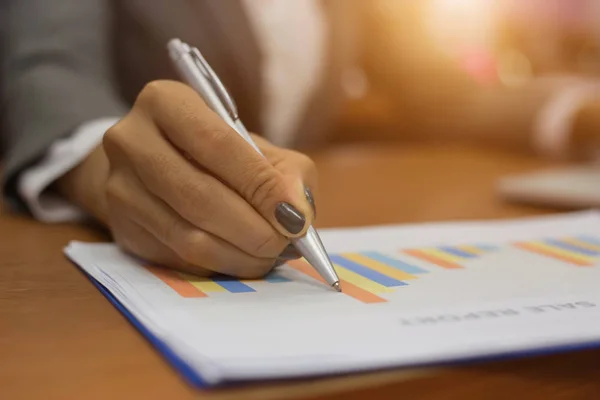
x: 194, y: 69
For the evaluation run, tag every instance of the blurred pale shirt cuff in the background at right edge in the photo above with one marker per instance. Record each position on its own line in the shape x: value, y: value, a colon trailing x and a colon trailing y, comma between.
x: 554, y: 123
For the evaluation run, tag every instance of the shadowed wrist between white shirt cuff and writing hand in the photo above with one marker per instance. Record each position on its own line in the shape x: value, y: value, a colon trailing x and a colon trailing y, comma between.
x: 83, y: 185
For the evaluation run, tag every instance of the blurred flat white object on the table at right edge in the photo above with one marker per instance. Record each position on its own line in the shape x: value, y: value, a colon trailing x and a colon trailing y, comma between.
x: 567, y: 187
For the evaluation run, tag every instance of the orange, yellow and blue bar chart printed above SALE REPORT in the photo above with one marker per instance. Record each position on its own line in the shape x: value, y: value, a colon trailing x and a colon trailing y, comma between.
x: 368, y: 275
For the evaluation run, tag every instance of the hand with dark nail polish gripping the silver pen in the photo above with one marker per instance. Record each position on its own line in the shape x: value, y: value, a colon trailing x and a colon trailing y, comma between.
x: 178, y: 187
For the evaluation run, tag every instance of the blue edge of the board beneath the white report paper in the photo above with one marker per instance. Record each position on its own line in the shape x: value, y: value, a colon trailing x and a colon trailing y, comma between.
x: 194, y: 379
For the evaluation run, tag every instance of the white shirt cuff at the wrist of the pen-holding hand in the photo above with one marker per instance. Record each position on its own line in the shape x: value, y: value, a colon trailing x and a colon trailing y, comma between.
x: 63, y: 155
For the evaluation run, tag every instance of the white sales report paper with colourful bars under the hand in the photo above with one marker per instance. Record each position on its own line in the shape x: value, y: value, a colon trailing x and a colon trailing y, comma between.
x: 412, y: 295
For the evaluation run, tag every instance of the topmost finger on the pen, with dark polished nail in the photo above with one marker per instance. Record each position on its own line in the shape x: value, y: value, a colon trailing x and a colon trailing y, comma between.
x: 188, y: 123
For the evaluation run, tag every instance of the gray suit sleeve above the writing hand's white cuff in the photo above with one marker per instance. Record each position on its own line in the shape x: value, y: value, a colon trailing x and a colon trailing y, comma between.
x: 57, y: 75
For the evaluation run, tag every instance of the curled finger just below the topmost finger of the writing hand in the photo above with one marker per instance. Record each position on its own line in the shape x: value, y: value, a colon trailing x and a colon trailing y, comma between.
x: 198, y: 197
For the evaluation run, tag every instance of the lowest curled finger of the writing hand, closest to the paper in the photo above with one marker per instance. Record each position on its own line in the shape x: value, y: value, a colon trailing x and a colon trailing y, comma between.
x: 188, y: 247
